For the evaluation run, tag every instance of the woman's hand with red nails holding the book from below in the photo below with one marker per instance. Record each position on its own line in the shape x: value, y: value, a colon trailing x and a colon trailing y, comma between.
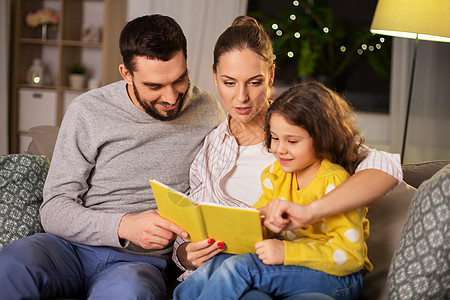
x: 193, y: 255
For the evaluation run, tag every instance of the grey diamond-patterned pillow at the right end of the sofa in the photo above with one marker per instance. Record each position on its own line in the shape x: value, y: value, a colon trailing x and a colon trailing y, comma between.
x: 421, y: 265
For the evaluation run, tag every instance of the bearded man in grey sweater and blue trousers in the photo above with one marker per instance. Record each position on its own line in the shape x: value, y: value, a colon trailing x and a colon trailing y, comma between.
x: 104, y: 238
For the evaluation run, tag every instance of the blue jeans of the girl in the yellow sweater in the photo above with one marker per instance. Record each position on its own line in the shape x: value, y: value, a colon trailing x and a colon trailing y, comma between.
x: 231, y: 276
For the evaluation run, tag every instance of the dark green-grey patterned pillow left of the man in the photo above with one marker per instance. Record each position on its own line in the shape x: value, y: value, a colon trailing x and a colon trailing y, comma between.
x: 22, y: 178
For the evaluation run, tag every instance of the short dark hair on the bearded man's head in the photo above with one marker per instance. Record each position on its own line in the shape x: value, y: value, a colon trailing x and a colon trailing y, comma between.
x: 153, y: 36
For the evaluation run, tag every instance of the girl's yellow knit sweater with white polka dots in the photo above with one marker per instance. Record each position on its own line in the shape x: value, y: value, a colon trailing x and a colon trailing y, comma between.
x: 335, y: 245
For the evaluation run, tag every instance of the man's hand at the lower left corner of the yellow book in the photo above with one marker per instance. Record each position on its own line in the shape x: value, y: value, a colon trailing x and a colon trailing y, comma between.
x: 149, y: 230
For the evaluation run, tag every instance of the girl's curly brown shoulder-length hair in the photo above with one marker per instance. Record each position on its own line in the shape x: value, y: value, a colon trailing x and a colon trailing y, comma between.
x: 328, y: 119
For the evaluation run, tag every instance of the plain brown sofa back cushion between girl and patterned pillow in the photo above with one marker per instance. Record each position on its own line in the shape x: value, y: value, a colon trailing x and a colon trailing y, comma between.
x: 386, y: 216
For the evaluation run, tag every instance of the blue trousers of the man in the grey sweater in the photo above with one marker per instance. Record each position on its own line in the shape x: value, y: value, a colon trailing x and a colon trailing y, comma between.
x: 45, y: 266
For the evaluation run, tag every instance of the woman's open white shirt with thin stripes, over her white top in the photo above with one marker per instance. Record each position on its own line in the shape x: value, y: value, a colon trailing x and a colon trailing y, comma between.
x: 218, y: 157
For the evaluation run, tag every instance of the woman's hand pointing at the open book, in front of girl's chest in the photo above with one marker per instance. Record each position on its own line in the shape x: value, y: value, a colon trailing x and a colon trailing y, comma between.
x: 281, y: 215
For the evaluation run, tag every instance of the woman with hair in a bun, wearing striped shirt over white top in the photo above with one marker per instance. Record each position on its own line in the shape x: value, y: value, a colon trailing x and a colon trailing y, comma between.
x: 227, y: 169
